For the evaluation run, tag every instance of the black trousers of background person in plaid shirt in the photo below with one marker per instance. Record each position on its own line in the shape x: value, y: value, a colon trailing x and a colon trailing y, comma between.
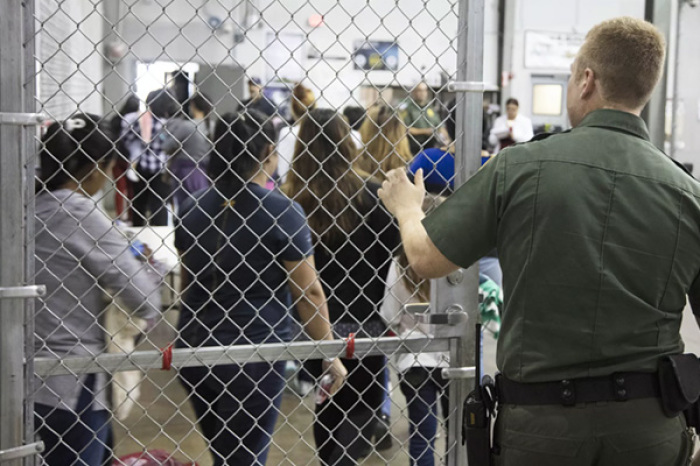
x: 150, y: 198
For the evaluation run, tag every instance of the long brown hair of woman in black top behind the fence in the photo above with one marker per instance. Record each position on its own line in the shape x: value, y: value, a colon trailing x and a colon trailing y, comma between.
x: 321, y: 178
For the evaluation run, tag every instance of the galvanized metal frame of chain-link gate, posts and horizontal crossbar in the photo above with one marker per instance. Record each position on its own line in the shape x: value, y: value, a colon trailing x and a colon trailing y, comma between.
x: 17, y: 139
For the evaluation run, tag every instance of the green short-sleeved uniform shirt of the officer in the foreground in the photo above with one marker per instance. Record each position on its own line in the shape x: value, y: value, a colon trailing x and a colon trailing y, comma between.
x: 598, y: 233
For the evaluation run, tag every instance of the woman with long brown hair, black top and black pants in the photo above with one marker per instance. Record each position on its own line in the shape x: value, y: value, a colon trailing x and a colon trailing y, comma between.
x: 354, y: 243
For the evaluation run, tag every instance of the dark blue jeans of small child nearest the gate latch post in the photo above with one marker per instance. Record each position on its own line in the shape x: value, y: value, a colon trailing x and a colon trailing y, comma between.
x: 424, y: 388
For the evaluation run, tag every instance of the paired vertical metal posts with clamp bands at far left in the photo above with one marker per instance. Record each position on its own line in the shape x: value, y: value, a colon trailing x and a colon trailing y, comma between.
x: 17, y: 129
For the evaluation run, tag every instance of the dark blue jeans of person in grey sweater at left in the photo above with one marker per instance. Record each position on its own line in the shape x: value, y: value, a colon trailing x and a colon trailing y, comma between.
x: 73, y: 437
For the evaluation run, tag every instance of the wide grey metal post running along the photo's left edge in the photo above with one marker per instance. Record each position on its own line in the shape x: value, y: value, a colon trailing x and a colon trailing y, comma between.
x: 12, y: 223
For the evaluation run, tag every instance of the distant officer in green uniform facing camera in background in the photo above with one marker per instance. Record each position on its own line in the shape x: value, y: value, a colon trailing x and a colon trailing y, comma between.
x: 421, y: 119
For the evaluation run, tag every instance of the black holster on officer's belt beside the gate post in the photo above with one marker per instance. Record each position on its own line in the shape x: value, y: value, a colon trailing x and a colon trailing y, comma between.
x: 479, y: 407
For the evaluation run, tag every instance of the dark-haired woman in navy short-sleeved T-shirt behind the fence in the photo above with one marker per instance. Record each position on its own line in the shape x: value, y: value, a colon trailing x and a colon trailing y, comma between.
x: 246, y: 259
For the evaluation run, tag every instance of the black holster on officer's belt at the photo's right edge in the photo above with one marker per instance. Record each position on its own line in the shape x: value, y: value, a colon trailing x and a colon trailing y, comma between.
x: 679, y: 383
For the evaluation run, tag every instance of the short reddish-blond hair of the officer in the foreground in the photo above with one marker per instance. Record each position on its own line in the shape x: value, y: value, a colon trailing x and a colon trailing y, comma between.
x: 627, y: 57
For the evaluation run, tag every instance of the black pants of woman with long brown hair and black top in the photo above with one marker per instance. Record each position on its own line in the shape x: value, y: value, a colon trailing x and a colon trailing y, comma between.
x: 347, y: 419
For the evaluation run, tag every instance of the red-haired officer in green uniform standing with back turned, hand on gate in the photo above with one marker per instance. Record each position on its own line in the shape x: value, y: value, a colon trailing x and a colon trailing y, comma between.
x: 598, y: 234
